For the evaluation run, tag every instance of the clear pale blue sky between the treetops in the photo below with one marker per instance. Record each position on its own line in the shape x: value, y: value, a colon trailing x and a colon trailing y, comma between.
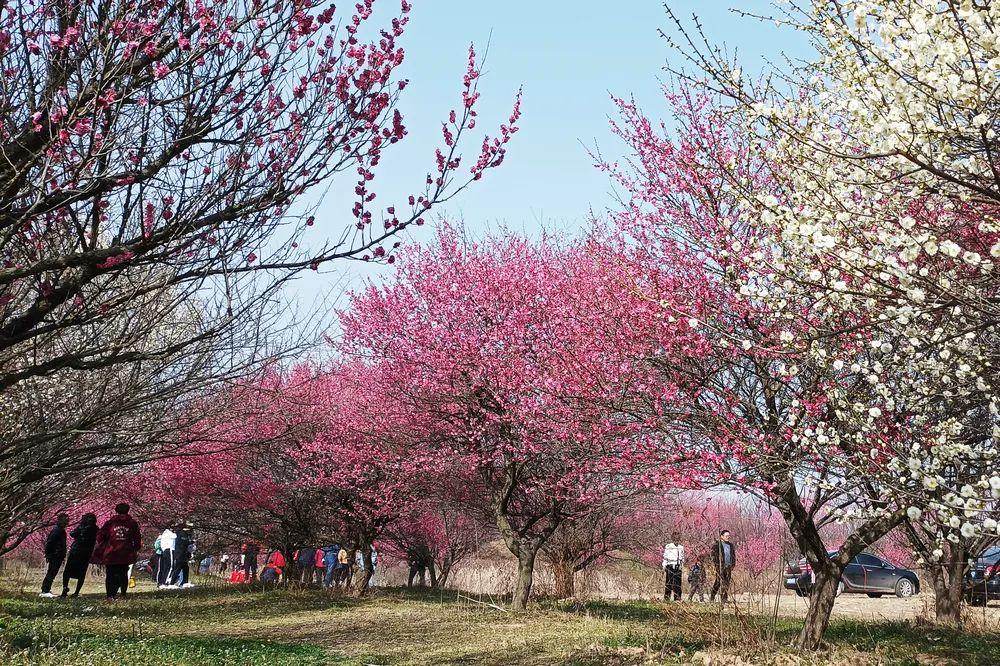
x: 570, y: 57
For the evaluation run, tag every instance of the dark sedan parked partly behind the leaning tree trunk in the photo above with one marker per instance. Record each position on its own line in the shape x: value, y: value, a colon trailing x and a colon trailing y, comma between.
x: 866, y: 574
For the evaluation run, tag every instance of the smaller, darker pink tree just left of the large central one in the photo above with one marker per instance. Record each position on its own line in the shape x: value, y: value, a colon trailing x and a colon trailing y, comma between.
x: 294, y: 471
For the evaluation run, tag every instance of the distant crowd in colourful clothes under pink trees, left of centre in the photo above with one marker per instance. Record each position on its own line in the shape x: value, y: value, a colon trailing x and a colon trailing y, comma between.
x: 328, y: 565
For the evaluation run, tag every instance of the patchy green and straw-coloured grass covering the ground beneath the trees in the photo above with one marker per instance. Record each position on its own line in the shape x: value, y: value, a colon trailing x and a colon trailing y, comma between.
x: 236, y: 625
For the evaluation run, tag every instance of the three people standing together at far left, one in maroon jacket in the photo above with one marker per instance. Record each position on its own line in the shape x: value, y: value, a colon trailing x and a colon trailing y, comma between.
x: 114, y: 545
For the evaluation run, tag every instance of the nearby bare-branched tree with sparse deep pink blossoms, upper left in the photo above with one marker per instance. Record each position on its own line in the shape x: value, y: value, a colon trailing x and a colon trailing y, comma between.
x: 155, y: 196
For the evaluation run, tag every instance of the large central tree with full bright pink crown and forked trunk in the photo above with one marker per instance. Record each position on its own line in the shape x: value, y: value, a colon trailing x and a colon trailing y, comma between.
x: 487, y: 346
